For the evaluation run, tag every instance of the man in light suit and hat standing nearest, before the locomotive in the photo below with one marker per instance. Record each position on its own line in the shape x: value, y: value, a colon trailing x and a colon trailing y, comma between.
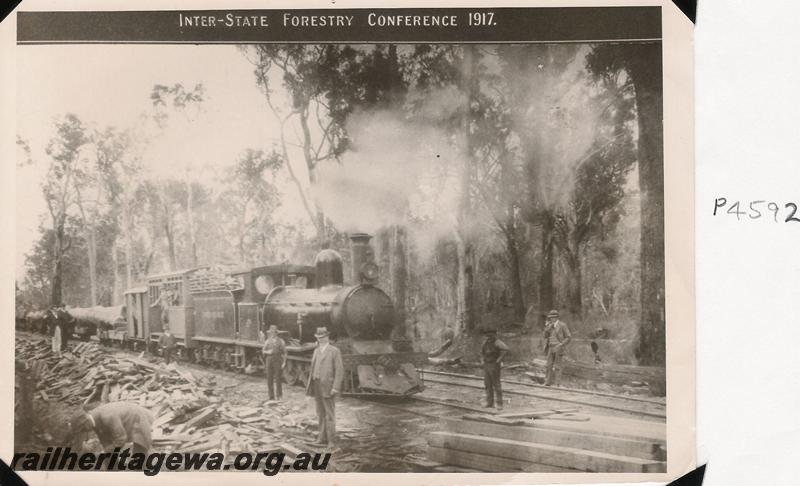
x: 324, y: 383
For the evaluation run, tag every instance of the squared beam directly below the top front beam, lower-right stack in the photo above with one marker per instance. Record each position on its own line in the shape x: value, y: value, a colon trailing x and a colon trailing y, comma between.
x: 568, y: 457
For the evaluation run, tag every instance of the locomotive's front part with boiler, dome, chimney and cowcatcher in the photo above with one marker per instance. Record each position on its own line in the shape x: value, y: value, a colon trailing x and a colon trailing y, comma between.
x: 361, y: 319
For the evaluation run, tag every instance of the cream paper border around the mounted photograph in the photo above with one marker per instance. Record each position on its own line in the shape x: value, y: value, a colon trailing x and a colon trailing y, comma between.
x: 677, y: 45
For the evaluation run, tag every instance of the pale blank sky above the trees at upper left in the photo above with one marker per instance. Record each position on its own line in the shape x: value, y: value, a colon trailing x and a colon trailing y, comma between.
x: 109, y: 85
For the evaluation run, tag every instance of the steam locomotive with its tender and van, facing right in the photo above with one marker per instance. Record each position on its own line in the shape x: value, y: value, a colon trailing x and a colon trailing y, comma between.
x: 219, y: 317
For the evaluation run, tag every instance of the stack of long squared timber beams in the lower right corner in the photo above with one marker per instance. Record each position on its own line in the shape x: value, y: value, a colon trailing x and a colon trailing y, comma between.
x: 550, y: 441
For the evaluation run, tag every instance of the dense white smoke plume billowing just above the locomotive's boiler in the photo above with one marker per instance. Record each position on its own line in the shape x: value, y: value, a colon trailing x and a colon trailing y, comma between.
x: 397, y: 172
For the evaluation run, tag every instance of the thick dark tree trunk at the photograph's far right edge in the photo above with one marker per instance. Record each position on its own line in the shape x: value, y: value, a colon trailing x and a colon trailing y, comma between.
x: 645, y: 71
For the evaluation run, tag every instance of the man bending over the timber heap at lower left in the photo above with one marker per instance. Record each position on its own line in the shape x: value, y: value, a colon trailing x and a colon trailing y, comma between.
x: 116, y: 424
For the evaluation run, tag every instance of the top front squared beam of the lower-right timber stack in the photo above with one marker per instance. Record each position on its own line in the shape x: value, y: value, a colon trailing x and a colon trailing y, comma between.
x: 613, y: 445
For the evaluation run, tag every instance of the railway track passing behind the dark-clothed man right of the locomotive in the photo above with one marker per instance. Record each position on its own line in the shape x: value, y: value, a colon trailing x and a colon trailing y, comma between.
x: 646, y: 408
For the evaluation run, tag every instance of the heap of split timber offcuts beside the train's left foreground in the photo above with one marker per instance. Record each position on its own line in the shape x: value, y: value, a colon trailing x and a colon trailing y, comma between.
x: 188, y: 414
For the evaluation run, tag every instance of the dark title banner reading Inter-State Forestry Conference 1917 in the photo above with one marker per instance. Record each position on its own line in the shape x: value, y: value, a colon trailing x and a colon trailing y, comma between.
x: 403, y: 25
